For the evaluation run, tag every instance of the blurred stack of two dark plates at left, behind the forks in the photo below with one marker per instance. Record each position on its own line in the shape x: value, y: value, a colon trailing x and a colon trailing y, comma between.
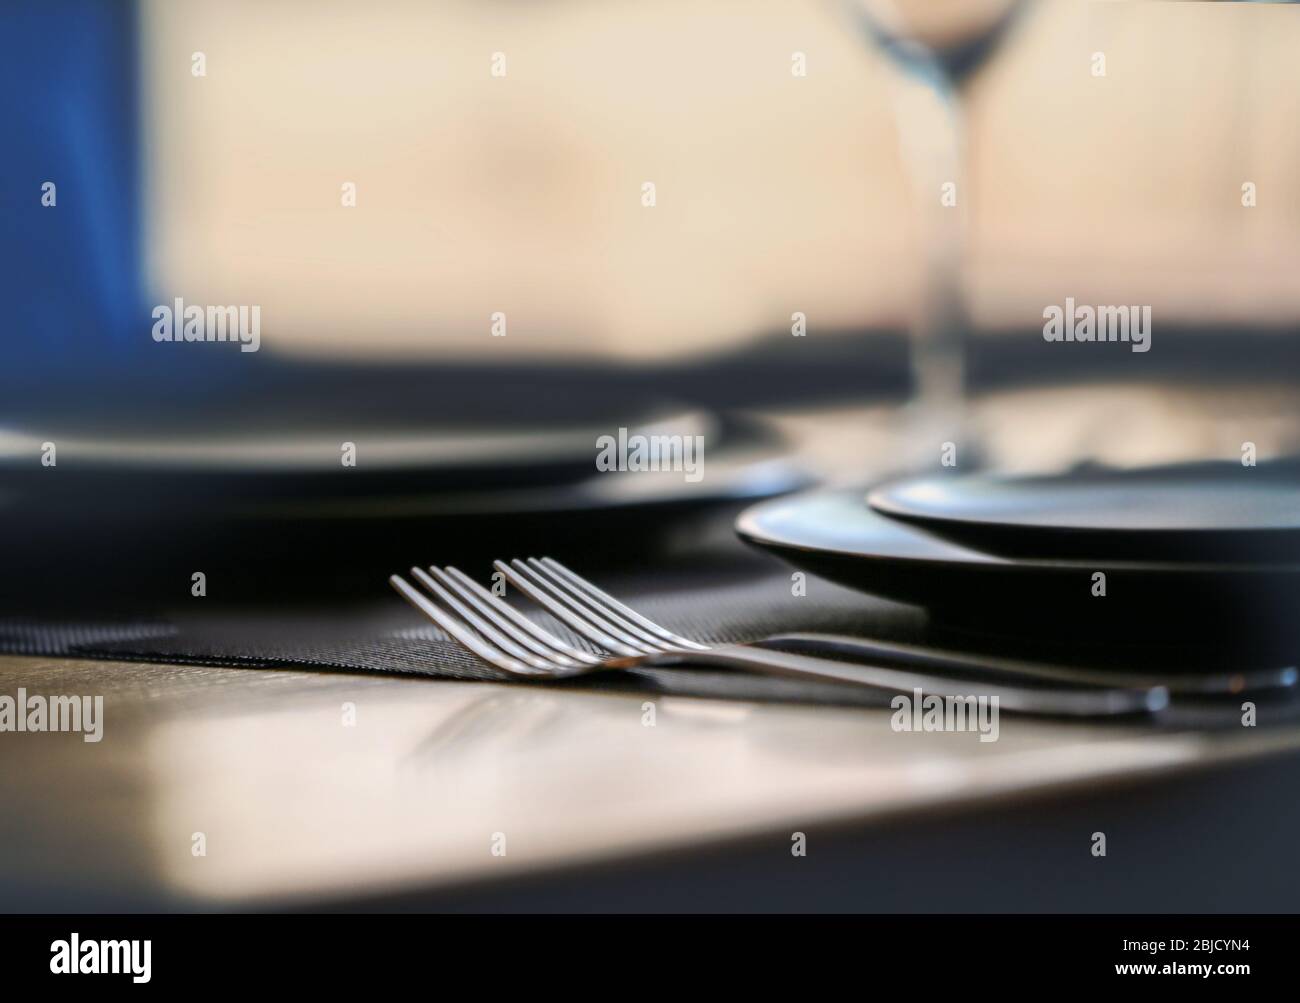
x: 294, y: 502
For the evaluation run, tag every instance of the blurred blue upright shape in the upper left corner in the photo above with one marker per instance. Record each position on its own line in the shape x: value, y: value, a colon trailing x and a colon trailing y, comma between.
x: 71, y: 284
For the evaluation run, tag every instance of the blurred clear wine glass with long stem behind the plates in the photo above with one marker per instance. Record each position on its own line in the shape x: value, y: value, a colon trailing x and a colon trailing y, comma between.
x: 937, y: 46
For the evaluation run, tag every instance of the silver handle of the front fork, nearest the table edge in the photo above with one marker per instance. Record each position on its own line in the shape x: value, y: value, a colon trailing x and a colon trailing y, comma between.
x: 1080, y: 702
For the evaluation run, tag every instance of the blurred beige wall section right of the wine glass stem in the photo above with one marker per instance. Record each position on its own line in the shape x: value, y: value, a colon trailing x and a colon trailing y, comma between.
x: 1128, y: 189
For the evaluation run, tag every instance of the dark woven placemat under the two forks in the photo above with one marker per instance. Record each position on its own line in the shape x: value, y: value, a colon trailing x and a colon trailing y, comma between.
x: 743, y: 600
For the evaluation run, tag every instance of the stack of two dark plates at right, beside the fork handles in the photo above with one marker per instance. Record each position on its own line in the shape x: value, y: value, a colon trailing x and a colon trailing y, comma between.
x: 1155, y: 553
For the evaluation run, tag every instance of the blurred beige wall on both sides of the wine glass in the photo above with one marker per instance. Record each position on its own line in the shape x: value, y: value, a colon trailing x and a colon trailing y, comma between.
x: 775, y: 193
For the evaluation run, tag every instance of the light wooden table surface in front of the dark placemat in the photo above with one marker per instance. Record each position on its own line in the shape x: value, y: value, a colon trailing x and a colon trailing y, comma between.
x: 297, y: 807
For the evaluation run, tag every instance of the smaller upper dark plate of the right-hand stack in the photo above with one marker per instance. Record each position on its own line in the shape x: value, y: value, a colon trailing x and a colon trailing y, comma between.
x: 1193, y: 513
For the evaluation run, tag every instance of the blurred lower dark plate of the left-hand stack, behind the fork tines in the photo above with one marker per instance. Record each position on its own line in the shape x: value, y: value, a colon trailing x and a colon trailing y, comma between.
x: 296, y: 545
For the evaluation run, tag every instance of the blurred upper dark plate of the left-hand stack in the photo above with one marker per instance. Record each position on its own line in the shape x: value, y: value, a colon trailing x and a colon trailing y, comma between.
x: 222, y: 472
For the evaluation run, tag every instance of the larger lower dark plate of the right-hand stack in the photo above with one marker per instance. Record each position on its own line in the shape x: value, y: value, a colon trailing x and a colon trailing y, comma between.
x: 837, y: 536
